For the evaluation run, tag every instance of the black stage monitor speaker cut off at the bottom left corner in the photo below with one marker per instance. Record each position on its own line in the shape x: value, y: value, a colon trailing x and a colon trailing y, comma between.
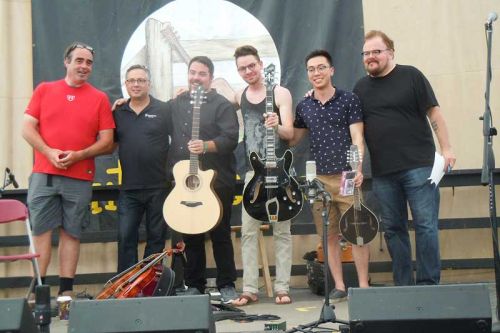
x: 16, y: 317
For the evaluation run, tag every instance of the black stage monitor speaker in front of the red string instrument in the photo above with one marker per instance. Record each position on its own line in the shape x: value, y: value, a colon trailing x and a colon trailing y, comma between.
x: 144, y: 314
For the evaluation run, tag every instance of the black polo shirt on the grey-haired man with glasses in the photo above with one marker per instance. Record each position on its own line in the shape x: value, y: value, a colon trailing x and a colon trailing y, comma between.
x: 143, y: 141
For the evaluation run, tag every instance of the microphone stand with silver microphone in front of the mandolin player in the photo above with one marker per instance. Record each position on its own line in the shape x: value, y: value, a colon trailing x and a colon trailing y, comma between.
x: 327, y: 311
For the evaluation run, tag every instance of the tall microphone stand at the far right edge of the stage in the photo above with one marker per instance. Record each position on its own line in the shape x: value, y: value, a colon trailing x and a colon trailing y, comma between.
x: 489, y: 163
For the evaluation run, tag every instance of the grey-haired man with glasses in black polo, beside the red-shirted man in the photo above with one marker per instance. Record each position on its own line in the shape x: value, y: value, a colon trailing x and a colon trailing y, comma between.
x: 142, y: 132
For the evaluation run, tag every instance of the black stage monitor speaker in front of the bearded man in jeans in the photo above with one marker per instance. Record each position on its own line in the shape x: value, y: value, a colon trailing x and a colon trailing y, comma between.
x: 430, y: 309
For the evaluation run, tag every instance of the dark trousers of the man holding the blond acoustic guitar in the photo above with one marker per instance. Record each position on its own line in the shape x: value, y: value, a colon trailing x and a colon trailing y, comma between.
x: 222, y: 247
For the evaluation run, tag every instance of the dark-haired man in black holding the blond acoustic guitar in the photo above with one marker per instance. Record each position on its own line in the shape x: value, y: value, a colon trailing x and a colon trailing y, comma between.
x: 218, y: 133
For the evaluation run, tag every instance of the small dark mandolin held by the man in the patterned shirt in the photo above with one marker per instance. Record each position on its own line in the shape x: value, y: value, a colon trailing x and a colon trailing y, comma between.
x: 358, y: 225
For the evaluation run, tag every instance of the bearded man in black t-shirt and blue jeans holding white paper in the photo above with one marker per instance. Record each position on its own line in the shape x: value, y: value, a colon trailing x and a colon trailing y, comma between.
x: 398, y: 103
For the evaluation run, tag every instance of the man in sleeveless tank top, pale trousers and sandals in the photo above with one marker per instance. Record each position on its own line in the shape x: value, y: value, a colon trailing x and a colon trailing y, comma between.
x: 252, y: 101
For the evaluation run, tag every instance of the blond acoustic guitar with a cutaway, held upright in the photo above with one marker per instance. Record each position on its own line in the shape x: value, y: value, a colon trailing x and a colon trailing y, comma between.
x: 193, y: 206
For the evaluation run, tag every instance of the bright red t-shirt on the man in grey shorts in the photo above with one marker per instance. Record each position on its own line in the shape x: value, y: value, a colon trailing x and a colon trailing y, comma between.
x: 69, y: 118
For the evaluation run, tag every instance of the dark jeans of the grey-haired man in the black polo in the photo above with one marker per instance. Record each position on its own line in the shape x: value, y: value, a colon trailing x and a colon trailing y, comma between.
x: 132, y: 205
